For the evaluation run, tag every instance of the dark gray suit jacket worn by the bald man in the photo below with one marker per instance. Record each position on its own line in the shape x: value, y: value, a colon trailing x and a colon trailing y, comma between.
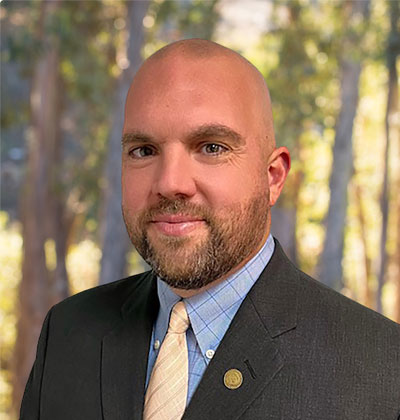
x: 305, y: 352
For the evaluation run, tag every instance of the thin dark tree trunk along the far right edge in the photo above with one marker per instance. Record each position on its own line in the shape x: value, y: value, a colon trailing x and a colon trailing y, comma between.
x: 391, y: 131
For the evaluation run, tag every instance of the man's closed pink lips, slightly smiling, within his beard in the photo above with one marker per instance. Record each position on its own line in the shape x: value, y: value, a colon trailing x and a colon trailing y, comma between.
x: 176, y: 224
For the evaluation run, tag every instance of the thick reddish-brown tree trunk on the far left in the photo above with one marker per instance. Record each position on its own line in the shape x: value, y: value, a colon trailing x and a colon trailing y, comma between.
x: 39, y: 286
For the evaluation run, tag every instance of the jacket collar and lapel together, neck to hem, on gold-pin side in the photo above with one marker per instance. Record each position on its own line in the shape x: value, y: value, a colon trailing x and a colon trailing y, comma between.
x: 250, y: 345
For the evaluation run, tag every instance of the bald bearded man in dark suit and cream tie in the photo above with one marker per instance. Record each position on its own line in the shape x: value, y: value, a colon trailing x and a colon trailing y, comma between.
x: 224, y: 326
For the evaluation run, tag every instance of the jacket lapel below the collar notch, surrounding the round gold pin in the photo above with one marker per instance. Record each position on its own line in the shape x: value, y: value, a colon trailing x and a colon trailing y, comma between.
x: 248, y: 348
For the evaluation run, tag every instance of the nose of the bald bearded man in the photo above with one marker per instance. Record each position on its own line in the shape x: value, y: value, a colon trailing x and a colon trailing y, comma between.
x: 175, y: 175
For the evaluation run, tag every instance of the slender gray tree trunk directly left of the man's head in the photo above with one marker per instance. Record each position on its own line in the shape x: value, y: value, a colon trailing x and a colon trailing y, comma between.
x: 115, y: 238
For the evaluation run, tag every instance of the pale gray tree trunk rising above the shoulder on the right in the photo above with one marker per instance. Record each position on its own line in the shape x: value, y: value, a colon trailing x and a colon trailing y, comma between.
x: 330, y: 264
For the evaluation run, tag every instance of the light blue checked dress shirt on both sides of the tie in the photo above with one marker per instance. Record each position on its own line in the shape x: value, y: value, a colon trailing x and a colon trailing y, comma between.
x: 210, y: 314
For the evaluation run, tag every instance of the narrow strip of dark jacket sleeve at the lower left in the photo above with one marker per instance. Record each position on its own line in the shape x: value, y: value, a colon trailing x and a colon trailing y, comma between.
x: 30, y: 407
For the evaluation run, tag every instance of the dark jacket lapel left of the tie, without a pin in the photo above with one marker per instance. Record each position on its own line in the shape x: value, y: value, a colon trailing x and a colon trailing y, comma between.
x: 122, y: 376
